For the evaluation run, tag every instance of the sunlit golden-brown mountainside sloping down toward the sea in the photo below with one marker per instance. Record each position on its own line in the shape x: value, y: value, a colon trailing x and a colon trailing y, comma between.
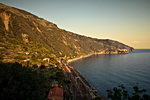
x: 22, y: 32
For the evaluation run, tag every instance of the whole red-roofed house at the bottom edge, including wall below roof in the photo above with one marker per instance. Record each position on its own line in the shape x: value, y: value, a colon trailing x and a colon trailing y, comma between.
x: 55, y: 94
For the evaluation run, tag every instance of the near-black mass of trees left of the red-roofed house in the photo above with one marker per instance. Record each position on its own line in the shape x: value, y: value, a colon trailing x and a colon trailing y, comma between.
x: 21, y: 83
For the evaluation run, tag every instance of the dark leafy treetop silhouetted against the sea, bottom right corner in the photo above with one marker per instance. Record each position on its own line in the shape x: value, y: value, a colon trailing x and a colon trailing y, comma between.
x: 121, y: 94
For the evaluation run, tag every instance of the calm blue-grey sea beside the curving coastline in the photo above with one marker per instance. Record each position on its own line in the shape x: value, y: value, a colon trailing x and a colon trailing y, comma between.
x: 107, y: 71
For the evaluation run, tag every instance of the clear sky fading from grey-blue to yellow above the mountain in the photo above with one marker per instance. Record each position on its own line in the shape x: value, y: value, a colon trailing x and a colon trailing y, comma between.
x: 126, y: 21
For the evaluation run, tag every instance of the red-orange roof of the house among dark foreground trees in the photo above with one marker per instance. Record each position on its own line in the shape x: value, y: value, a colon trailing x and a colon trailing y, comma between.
x: 56, y: 91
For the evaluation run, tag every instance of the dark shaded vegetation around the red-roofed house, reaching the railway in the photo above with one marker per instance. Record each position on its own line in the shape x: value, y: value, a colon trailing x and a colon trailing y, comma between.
x: 17, y: 82
